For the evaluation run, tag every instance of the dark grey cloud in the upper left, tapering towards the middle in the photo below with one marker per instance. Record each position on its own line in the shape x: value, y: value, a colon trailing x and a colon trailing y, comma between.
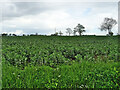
x: 17, y: 9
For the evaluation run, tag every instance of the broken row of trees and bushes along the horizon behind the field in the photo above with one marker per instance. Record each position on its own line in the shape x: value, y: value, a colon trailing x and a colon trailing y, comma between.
x: 106, y: 25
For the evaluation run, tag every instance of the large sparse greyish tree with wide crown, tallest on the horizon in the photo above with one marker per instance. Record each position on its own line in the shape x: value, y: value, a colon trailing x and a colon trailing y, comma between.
x: 108, y: 24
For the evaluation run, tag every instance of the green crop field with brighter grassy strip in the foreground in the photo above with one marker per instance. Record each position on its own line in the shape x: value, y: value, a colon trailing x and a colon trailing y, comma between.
x: 60, y: 62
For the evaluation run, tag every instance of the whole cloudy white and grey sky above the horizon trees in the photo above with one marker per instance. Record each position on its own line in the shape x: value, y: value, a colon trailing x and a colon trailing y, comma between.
x: 44, y: 17
